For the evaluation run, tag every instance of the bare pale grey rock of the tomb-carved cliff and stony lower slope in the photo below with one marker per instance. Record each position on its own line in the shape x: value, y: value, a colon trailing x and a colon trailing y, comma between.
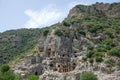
x: 61, y: 59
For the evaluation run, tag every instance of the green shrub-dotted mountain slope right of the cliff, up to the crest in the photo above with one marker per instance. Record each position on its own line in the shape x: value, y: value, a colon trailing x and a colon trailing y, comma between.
x: 98, y: 21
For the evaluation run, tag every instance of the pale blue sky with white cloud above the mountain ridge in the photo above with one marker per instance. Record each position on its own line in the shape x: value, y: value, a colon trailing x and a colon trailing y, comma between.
x: 15, y: 14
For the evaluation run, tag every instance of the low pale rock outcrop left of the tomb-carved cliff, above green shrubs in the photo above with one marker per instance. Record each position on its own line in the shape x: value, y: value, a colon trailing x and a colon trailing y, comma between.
x: 30, y: 65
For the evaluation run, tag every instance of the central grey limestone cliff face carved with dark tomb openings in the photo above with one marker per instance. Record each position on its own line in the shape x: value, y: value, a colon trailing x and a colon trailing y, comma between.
x: 58, y: 53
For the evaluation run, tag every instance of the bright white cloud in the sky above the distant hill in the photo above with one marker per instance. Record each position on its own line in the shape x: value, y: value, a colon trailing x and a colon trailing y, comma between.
x: 42, y: 18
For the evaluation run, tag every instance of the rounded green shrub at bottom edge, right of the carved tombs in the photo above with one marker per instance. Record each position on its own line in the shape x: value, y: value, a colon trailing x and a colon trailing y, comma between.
x: 88, y: 76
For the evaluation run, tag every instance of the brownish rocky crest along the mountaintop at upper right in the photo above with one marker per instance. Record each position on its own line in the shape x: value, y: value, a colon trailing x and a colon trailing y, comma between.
x: 109, y: 10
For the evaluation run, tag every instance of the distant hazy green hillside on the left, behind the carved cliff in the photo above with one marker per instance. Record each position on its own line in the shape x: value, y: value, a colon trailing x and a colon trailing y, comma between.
x: 15, y: 43
